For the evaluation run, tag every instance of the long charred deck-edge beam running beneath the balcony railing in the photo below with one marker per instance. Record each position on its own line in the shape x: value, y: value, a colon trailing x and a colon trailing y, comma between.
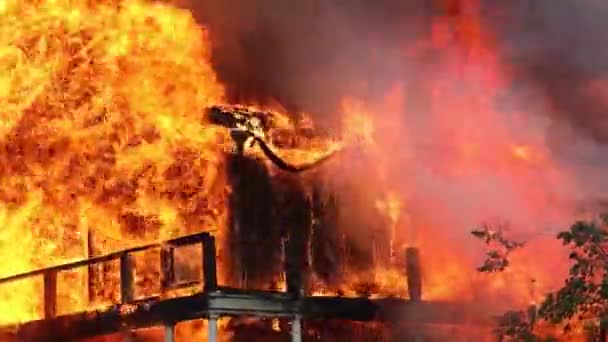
x: 167, y: 312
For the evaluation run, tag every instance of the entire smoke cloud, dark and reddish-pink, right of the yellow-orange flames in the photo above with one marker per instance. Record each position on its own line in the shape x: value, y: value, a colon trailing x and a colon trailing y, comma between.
x: 441, y: 154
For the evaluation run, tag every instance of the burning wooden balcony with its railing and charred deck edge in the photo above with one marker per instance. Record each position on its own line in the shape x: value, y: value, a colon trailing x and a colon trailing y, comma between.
x: 209, y: 302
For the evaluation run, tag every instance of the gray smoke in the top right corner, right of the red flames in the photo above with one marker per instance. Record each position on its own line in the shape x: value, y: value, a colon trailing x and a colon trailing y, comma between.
x: 561, y: 48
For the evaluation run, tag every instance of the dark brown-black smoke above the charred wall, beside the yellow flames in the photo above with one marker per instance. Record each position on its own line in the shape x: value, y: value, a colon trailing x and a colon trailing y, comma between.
x: 305, y: 54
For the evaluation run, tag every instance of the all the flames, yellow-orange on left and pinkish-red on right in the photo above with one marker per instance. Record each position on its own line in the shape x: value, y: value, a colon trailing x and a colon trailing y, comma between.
x: 102, y: 133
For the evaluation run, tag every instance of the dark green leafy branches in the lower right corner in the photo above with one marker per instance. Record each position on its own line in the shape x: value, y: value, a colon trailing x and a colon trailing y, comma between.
x: 584, y: 294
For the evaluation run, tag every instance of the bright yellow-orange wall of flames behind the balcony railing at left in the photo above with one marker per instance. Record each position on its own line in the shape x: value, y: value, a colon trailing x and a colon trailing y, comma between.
x: 101, y: 131
